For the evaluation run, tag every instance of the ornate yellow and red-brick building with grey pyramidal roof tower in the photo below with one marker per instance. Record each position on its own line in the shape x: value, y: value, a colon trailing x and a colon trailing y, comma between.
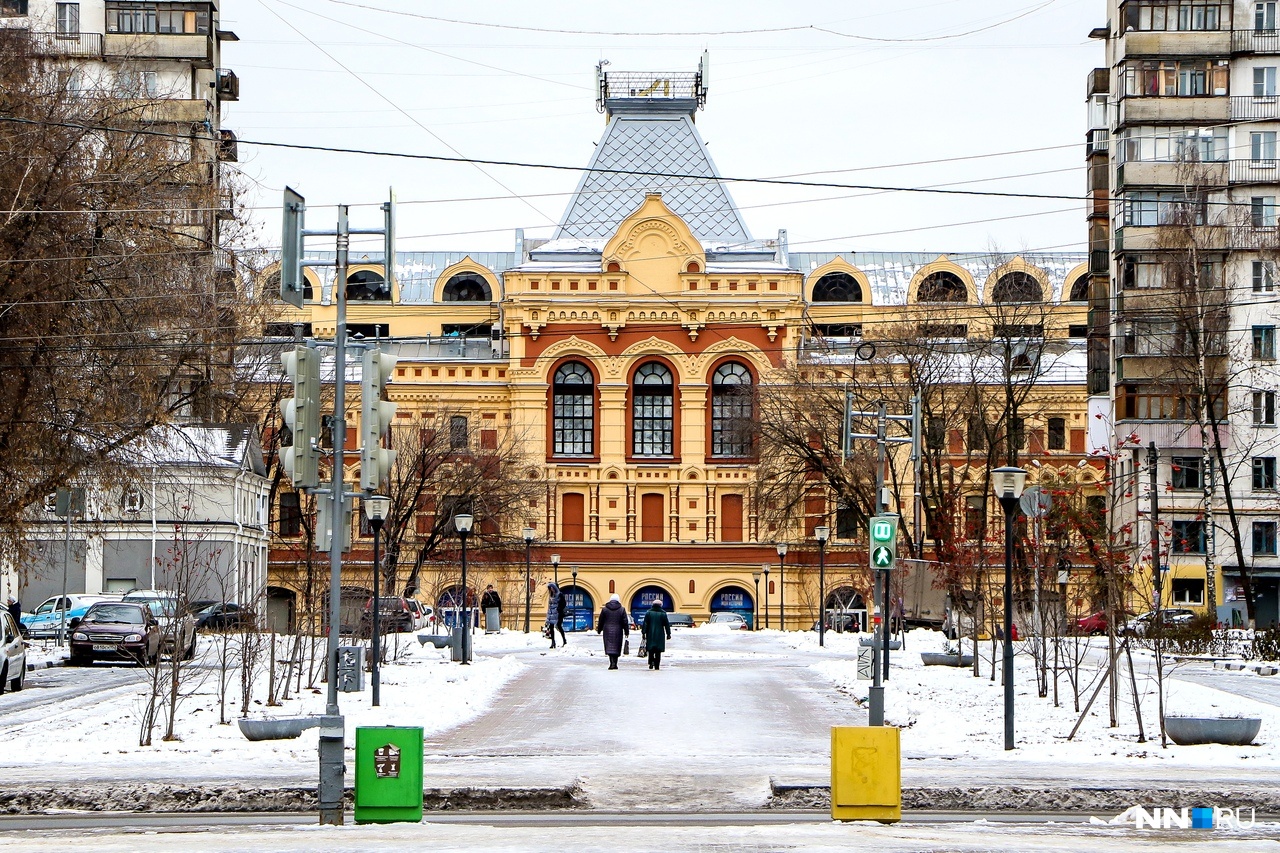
x: 612, y: 370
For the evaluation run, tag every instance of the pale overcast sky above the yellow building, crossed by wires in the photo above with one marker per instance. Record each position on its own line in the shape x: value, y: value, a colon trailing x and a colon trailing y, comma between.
x: 515, y: 81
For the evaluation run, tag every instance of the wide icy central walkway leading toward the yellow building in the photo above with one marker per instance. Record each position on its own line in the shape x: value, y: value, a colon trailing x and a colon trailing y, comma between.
x: 707, y: 732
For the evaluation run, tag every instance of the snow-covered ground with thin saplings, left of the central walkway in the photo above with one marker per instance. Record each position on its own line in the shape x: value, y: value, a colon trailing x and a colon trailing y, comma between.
x: 97, y: 740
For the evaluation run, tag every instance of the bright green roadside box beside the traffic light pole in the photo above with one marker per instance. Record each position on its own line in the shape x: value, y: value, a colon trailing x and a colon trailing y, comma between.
x: 388, y: 774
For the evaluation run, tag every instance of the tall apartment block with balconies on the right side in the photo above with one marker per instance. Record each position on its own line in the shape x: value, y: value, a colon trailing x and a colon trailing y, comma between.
x: 1183, y: 170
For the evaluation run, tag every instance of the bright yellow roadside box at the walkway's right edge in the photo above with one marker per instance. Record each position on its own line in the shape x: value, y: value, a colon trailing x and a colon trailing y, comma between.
x: 866, y: 774
